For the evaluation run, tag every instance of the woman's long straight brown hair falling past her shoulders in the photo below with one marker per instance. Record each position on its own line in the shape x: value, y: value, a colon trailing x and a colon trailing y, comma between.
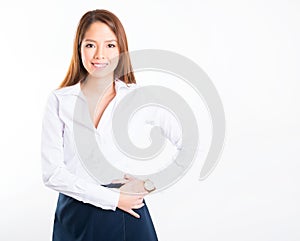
x: 76, y: 71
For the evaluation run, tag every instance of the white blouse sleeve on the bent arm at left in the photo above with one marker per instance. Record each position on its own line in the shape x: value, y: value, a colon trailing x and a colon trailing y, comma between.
x: 55, y: 173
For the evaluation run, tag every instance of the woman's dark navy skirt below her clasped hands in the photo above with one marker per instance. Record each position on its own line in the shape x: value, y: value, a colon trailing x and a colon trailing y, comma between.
x: 78, y: 221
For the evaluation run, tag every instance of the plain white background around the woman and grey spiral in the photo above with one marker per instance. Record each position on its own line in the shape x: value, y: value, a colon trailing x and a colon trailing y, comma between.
x: 250, y: 49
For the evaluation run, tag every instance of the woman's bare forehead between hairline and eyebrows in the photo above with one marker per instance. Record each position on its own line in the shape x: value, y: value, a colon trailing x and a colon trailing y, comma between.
x: 99, y: 31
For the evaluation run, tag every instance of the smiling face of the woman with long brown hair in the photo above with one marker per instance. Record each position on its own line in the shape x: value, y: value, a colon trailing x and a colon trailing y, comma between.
x: 99, y: 50
